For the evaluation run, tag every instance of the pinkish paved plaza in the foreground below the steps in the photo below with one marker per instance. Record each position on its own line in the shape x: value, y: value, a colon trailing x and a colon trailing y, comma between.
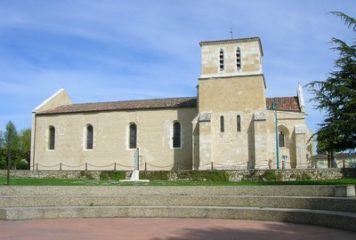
x: 163, y: 228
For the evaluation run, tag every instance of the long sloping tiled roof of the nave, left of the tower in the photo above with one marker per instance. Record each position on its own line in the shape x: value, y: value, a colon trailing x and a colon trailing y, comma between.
x: 185, y: 102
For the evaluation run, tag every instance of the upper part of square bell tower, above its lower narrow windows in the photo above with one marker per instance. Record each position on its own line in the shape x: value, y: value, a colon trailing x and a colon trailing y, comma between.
x: 231, y: 75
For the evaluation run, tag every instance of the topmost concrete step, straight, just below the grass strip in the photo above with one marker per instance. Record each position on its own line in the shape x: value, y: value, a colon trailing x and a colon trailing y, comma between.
x: 313, y: 191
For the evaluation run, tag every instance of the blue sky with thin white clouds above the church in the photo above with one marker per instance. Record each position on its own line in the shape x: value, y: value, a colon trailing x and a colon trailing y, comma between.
x: 112, y: 50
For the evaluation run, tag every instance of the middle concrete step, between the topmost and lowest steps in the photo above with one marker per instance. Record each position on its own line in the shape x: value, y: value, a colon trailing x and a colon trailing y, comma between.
x: 318, y: 203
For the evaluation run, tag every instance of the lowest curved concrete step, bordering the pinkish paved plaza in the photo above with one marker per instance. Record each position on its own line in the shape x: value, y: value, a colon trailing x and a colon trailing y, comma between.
x: 334, y: 219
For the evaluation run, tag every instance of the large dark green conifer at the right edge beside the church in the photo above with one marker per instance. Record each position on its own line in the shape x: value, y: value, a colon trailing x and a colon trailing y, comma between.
x: 337, y: 97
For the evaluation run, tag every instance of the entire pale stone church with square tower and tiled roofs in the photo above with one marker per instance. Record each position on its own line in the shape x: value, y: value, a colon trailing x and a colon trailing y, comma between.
x: 230, y: 124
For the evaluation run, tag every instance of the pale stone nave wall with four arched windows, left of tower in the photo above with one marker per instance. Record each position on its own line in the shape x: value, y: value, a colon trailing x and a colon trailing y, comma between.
x: 111, y: 131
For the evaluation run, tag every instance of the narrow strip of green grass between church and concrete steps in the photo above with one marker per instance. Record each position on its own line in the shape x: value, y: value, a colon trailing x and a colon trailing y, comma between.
x: 88, y: 182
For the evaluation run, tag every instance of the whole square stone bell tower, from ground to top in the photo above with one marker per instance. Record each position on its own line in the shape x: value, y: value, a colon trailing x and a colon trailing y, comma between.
x: 231, y: 89
